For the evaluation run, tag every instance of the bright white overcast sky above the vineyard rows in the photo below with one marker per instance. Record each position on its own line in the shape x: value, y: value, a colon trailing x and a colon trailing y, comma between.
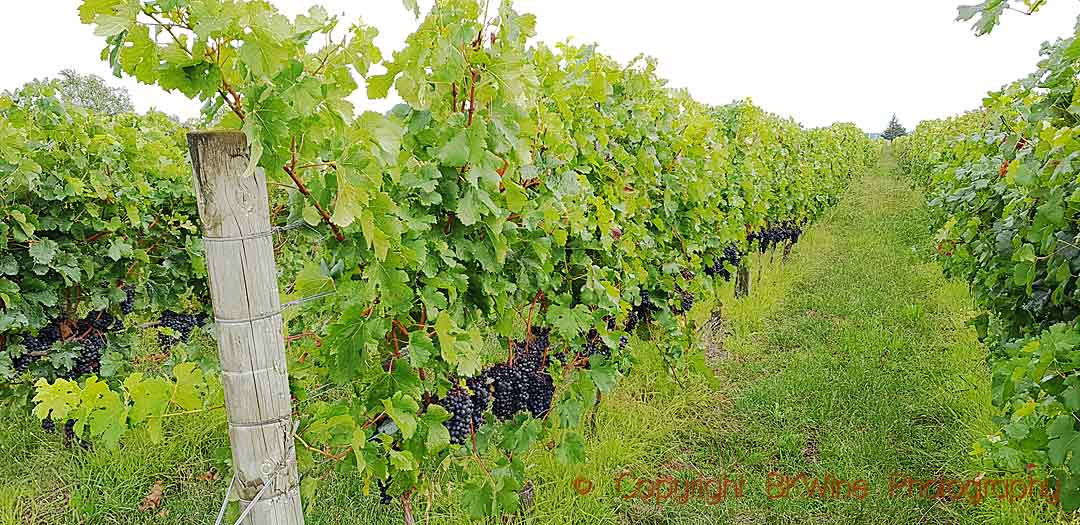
x: 819, y: 62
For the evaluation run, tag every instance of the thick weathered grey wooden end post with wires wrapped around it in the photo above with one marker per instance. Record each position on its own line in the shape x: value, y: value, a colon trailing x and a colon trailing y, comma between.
x: 244, y: 284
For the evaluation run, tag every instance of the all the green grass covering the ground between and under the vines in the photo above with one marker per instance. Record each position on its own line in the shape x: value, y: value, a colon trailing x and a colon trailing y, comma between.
x: 850, y: 359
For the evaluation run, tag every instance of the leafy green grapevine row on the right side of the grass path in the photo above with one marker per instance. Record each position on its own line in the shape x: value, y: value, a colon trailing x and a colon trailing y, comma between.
x: 1002, y: 187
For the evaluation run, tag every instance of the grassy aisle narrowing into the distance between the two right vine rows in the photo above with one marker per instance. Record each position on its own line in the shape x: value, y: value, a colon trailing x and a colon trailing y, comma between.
x: 852, y: 360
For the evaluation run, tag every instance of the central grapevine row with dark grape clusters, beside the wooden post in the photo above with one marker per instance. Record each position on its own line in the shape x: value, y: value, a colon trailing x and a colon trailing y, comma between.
x: 538, y: 197
